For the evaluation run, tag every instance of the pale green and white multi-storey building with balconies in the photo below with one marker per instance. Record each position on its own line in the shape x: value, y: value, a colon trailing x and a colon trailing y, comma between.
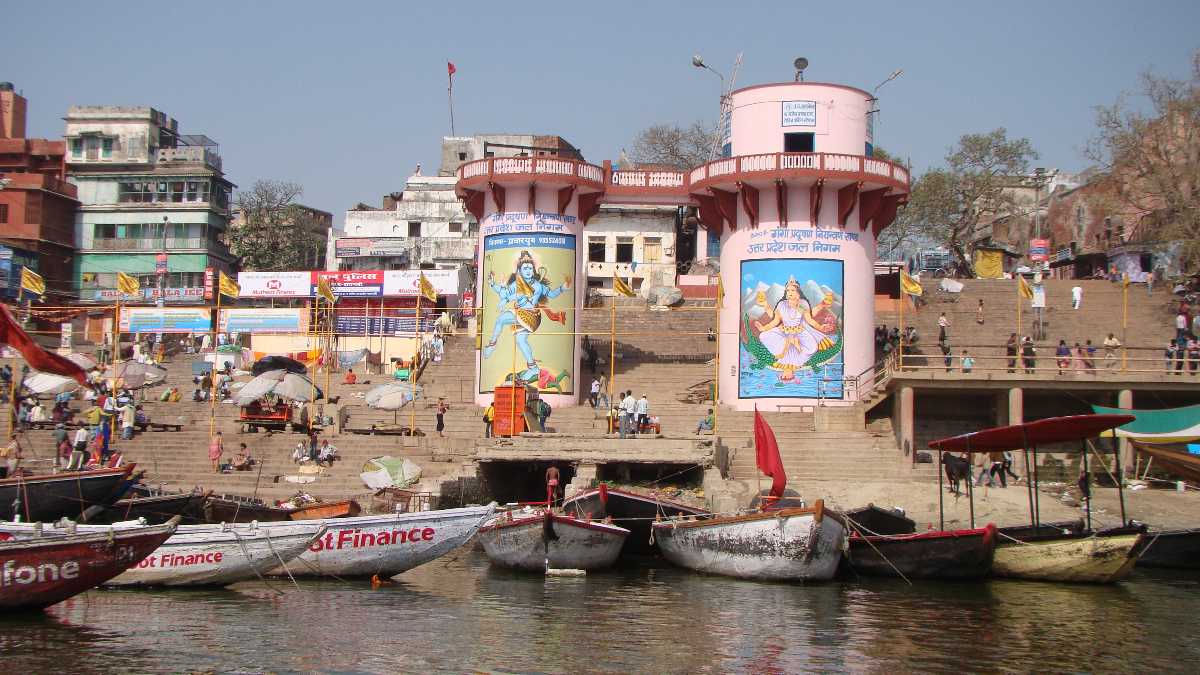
x: 155, y: 204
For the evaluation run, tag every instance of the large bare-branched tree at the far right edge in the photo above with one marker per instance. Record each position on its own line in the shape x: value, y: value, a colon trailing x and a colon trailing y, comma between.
x: 1153, y: 158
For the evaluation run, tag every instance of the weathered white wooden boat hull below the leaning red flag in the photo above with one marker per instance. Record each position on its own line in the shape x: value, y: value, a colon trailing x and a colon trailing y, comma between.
x: 801, y: 545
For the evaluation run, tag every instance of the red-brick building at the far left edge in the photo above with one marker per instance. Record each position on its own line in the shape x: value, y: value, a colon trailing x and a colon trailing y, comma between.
x: 38, y: 206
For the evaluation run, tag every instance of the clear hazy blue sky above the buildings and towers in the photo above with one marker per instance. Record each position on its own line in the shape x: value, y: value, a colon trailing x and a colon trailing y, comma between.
x: 346, y: 98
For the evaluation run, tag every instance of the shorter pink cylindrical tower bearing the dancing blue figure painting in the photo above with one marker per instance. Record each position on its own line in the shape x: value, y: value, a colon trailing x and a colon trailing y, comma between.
x: 531, y: 214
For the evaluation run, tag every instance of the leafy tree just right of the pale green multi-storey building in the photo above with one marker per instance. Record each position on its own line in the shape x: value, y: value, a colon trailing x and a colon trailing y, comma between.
x: 272, y: 232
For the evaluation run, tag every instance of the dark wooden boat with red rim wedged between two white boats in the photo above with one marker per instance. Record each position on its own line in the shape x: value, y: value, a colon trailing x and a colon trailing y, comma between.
x: 632, y: 511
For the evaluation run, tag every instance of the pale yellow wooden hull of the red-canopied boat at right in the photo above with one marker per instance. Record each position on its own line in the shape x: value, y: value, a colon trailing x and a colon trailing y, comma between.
x: 1082, y: 558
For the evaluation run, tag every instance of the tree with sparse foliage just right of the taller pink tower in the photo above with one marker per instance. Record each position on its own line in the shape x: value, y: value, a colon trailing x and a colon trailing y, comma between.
x: 949, y: 204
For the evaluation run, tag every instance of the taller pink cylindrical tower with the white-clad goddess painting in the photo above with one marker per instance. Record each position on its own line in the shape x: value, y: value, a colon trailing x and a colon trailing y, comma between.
x: 799, y: 206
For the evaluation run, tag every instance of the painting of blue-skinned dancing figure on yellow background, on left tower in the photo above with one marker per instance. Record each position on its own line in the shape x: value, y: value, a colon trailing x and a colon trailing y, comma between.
x: 527, y: 307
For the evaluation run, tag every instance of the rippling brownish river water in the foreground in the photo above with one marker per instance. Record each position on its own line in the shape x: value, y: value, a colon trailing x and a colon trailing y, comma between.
x: 460, y: 616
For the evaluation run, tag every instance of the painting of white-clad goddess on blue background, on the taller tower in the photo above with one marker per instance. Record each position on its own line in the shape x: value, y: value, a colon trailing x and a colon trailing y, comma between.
x: 791, y: 338
